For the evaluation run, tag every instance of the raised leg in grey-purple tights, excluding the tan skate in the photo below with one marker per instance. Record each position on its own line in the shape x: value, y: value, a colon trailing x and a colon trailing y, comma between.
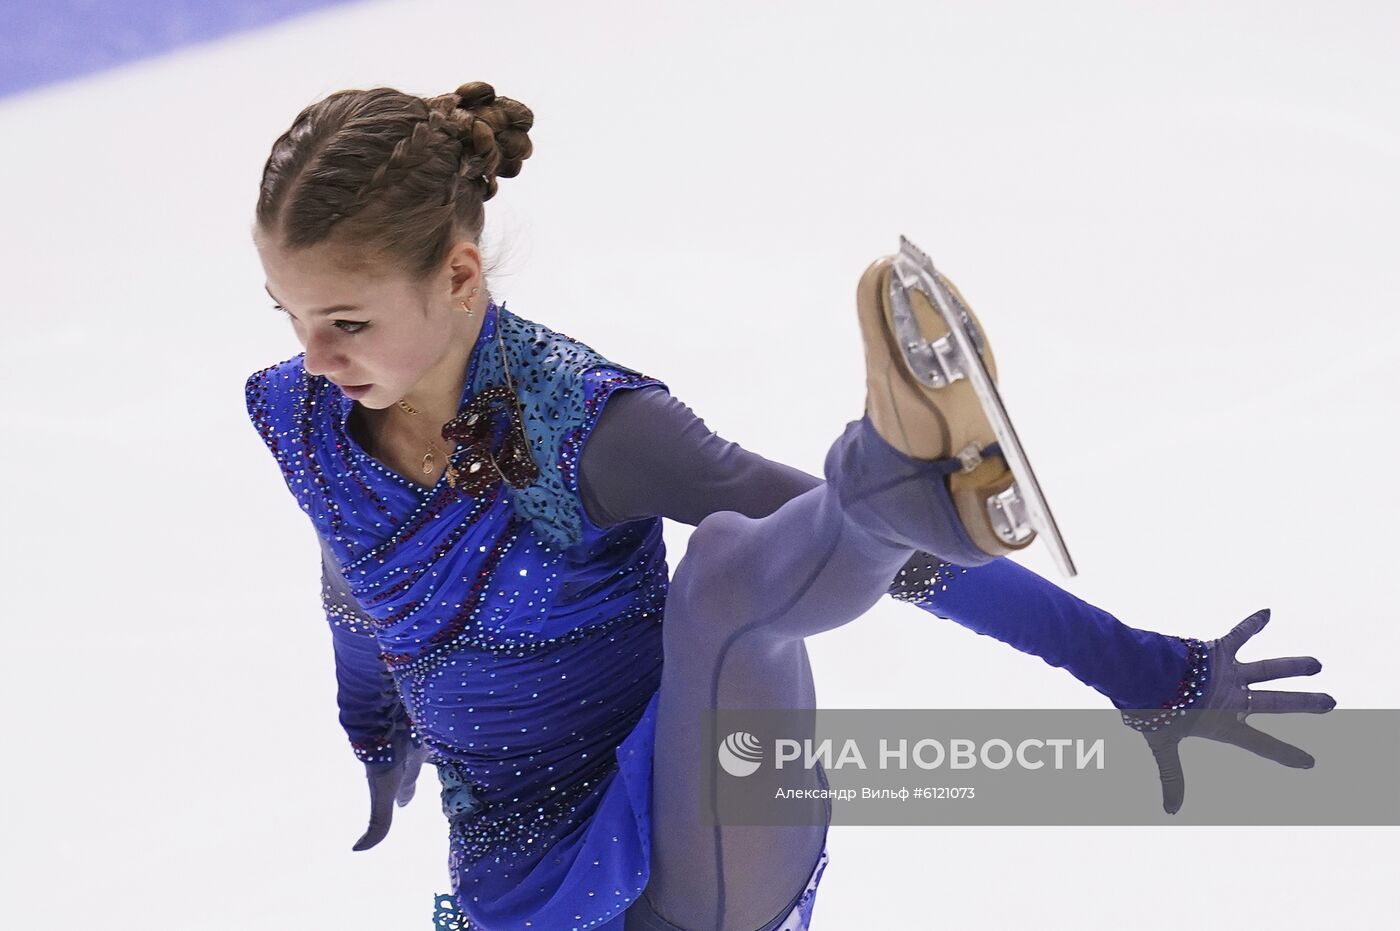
x: 741, y: 601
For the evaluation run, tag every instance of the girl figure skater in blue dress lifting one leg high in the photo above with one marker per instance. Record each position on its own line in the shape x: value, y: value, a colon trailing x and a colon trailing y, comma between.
x: 488, y: 495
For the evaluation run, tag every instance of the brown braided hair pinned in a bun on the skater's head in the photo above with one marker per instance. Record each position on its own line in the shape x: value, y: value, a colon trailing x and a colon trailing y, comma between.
x: 393, y: 178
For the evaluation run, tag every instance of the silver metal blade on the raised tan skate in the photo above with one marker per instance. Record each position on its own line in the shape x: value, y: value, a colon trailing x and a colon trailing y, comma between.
x: 1023, y: 509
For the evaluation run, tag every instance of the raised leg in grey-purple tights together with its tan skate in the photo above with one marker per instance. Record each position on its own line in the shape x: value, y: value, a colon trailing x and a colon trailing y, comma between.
x: 918, y: 472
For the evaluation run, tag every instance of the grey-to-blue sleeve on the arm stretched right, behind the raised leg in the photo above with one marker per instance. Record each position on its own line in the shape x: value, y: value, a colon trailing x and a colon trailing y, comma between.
x: 650, y: 456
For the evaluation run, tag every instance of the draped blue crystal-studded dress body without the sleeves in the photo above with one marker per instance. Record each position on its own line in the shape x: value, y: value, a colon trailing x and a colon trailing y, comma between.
x: 524, y: 640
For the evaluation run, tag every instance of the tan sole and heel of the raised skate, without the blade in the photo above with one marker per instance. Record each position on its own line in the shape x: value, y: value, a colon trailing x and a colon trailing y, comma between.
x: 933, y: 423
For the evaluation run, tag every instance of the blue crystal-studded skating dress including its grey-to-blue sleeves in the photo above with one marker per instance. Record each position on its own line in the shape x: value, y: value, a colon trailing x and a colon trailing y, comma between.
x: 521, y: 642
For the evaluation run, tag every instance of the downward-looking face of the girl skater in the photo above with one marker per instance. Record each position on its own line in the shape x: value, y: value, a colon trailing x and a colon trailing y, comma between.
x: 377, y: 328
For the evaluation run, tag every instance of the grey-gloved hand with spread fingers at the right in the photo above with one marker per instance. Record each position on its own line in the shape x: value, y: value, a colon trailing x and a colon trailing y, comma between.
x: 1227, y: 691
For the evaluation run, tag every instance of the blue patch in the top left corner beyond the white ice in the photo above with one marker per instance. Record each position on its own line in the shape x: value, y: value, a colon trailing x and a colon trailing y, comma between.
x: 50, y: 41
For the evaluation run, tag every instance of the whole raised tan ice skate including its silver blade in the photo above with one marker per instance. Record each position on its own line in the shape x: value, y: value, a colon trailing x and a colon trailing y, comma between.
x: 932, y: 394
